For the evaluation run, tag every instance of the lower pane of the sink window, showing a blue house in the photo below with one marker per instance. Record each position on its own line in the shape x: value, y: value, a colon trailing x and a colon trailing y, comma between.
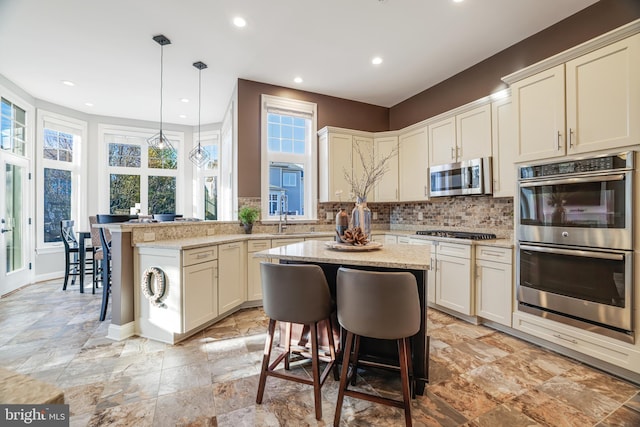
x: 280, y: 175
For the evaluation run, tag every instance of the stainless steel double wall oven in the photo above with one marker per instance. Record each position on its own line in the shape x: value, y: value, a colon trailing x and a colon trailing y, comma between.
x: 575, y: 242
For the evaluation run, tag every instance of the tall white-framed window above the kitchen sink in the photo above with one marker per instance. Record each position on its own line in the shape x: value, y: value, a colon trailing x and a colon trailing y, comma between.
x: 289, y: 150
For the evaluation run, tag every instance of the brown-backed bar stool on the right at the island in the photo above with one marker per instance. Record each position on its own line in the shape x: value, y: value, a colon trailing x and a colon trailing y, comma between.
x: 382, y: 305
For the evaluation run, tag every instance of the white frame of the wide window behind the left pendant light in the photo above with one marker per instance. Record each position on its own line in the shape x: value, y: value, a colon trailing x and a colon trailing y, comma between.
x: 177, y: 140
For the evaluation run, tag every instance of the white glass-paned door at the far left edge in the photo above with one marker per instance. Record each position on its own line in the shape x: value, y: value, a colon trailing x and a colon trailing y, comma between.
x: 14, y: 223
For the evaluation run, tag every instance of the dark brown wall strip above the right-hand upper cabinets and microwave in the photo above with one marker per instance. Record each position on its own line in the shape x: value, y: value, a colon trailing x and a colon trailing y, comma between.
x: 485, y: 77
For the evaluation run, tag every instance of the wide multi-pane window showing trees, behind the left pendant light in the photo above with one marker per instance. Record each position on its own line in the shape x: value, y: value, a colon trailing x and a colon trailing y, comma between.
x: 141, y: 179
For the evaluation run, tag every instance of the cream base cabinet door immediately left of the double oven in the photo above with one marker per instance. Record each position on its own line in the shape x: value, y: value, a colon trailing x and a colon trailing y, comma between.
x: 493, y: 287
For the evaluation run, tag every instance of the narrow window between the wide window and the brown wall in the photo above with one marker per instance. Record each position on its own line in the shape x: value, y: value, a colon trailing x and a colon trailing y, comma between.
x: 208, y: 178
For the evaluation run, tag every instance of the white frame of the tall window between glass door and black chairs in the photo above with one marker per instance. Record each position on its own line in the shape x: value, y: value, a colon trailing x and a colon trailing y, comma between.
x: 77, y: 168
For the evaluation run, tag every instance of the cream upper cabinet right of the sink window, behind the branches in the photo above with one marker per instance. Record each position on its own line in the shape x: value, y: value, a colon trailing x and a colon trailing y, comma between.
x: 337, y: 154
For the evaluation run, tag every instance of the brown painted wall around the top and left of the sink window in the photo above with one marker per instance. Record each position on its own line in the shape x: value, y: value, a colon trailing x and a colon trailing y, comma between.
x: 331, y: 112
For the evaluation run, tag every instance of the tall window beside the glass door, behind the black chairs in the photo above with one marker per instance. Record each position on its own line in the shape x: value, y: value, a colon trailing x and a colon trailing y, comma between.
x: 60, y: 145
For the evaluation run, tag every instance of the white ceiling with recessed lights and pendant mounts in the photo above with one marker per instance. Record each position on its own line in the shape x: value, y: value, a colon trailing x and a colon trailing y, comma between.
x: 105, y: 47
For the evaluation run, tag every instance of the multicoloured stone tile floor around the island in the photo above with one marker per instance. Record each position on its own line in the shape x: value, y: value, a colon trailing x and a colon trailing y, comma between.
x: 479, y: 377
